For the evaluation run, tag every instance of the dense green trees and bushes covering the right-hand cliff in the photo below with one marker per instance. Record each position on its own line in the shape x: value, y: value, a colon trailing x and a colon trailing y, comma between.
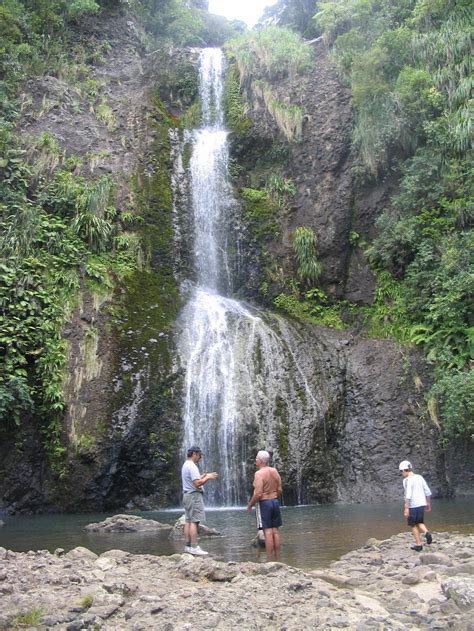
x: 409, y: 65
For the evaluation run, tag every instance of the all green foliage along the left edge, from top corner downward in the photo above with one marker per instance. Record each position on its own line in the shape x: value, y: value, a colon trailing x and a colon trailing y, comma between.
x: 60, y: 229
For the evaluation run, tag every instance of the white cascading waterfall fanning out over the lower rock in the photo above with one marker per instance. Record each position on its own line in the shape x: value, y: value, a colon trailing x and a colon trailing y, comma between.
x: 239, y: 395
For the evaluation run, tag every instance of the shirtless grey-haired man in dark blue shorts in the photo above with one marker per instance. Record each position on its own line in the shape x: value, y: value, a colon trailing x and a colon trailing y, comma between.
x: 267, y: 490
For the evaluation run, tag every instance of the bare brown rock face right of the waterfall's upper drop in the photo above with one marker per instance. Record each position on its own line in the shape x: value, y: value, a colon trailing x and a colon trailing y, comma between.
x: 318, y: 165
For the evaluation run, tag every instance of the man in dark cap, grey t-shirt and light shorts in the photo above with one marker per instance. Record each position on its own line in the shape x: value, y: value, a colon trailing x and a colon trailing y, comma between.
x: 193, y: 501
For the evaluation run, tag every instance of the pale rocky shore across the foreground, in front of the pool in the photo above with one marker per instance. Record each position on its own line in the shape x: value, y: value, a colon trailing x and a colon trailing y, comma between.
x: 382, y: 586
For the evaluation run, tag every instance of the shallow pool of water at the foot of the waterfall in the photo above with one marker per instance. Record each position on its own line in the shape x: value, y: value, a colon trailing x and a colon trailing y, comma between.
x: 312, y: 536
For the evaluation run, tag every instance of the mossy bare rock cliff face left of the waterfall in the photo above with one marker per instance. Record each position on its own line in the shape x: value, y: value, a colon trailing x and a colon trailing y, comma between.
x: 121, y: 429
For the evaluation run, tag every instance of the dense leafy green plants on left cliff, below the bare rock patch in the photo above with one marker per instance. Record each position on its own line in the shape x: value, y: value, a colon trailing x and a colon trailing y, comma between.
x: 53, y: 232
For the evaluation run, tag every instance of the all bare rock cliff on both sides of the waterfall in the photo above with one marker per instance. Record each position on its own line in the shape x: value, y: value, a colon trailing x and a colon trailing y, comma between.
x: 123, y: 426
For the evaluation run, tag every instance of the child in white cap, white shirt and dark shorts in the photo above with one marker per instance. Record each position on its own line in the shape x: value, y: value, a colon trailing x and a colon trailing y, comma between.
x: 417, y: 499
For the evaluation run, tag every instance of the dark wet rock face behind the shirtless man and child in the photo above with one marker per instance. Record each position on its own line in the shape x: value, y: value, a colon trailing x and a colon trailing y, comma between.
x: 361, y: 418
